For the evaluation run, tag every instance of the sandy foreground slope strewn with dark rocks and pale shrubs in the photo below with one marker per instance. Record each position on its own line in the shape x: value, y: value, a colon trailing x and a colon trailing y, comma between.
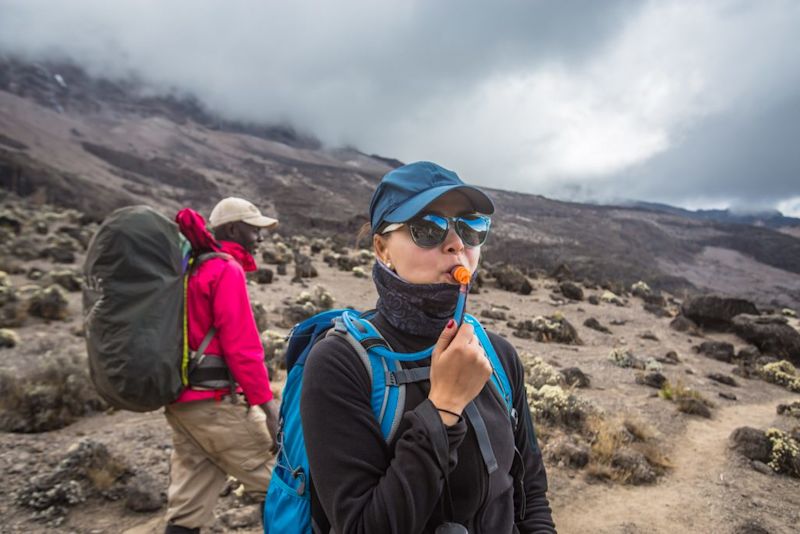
x: 654, y: 413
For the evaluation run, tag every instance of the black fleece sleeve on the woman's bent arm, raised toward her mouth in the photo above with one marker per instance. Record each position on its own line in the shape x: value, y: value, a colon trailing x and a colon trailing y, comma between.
x: 363, y: 488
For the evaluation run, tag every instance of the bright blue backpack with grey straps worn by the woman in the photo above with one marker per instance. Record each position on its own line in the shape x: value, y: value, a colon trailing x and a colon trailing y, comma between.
x: 287, y: 509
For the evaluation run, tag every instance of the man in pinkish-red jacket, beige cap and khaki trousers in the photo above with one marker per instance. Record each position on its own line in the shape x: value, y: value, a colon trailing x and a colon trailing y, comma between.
x: 216, y: 431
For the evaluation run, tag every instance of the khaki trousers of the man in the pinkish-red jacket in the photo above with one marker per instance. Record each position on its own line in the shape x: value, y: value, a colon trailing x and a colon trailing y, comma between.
x: 212, y: 440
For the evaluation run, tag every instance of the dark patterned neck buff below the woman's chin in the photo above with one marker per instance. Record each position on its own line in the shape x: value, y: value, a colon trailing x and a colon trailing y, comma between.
x: 417, y: 309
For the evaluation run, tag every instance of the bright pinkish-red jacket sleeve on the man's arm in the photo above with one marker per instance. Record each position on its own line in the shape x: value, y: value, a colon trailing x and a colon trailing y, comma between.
x: 238, y: 336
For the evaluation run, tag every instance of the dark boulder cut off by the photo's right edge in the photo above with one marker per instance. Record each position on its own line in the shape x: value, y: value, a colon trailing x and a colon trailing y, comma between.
x: 771, y: 335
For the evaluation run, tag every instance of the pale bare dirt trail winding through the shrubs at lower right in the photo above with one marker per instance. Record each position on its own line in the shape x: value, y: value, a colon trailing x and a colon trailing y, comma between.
x: 691, y: 498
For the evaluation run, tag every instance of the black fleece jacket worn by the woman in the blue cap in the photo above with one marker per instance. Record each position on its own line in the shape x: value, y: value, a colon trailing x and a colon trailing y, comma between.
x: 363, y: 485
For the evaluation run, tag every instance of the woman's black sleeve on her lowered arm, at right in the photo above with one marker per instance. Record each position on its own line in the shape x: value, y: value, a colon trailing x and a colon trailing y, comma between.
x: 538, y: 516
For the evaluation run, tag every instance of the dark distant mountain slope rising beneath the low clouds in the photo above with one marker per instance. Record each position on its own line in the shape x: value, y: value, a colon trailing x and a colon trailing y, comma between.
x: 93, y: 144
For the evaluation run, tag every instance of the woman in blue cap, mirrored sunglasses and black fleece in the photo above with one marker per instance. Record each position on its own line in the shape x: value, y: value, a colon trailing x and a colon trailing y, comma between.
x: 433, y: 474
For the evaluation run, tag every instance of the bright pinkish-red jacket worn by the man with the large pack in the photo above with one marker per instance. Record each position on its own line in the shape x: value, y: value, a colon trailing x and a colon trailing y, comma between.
x: 217, y: 296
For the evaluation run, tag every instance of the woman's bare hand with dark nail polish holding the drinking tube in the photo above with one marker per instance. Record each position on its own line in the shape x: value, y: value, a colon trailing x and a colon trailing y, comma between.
x: 459, y: 370
